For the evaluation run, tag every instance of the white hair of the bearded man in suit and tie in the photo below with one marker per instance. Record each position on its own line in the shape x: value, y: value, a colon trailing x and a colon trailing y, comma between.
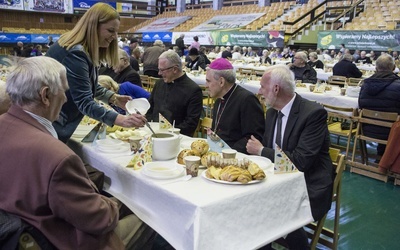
x: 283, y: 77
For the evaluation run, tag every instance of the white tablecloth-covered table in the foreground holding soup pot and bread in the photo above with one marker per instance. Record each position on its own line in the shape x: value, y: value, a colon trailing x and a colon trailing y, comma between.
x: 200, y: 214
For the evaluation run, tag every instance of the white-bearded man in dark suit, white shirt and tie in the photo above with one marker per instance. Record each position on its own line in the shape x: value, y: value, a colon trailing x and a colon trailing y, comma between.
x: 305, y: 140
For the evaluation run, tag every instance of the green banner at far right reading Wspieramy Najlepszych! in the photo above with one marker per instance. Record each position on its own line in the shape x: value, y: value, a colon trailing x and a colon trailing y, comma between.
x: 361, y: 40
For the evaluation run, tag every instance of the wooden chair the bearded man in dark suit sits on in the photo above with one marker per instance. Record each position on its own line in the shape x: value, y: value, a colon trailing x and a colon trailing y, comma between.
x: 316, y: 229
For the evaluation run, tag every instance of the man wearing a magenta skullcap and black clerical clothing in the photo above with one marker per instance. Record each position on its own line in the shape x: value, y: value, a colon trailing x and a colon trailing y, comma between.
x: 237, y: 113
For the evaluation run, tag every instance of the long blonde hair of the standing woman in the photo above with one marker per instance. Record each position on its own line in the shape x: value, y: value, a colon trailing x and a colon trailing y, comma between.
x: 85, y: 33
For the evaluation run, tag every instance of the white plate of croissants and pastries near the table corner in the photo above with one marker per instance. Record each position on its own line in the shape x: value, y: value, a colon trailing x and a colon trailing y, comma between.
x: 233, y: 170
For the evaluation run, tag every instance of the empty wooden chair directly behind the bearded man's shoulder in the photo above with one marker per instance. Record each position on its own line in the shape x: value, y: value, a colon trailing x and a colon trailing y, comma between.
x: 337, y: 116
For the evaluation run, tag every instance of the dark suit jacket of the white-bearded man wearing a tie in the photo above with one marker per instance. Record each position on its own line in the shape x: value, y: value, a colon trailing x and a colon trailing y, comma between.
x: 306, y: 142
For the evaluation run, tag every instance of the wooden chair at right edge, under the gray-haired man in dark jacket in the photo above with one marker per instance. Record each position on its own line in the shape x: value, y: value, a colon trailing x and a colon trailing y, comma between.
x: 370, y: 117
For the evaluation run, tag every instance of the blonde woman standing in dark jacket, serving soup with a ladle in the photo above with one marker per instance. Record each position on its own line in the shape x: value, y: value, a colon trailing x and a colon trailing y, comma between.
x: 91, y: 42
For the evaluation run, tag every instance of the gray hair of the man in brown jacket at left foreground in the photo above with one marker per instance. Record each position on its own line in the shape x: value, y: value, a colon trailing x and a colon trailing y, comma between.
x: 30, y: 75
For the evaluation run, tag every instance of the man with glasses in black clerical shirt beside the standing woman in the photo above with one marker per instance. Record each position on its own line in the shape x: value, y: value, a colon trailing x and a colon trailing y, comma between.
x: 178, y: 98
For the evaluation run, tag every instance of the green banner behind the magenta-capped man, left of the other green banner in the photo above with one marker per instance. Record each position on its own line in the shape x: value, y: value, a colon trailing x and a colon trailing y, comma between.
x: 249, y: 38
